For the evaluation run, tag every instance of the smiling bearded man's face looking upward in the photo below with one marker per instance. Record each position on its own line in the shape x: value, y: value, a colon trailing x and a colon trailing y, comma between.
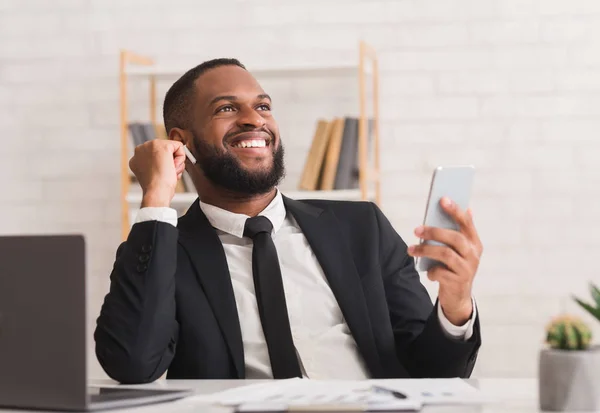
x: 235, y: 136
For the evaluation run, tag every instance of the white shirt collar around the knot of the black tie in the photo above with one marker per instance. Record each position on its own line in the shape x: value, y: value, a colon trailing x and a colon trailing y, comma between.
x: 233, y: 223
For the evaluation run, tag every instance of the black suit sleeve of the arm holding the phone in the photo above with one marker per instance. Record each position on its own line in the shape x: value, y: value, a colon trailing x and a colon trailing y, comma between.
x: 422, y: 345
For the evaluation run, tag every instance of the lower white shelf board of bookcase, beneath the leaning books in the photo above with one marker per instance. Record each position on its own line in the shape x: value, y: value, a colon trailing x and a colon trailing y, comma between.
x: 185, y: 199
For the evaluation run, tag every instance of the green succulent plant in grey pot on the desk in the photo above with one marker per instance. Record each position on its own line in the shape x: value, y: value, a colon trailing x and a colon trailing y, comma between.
x: 569, y: 370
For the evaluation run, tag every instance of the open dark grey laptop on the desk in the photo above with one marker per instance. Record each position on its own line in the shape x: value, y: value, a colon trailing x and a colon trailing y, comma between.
x: 43, y: 348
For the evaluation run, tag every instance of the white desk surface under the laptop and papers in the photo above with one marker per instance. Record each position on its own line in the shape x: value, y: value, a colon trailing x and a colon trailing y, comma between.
x: 510, y: 395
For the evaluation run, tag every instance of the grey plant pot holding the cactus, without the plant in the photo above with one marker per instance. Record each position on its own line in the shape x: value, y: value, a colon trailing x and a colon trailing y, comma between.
x: 569, y: 380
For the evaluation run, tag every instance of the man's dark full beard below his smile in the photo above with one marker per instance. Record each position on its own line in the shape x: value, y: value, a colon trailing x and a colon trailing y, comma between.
x: 222, y: 168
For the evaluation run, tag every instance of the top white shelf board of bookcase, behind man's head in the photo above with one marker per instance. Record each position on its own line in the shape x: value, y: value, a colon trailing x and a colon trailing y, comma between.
x: 335, y: 69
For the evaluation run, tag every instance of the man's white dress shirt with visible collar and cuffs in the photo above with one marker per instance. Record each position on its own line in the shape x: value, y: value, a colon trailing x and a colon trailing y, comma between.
x: 324, y: 344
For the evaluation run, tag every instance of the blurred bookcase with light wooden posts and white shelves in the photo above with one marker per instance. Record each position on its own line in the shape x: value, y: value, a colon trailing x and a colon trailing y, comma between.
x: 134, y: 67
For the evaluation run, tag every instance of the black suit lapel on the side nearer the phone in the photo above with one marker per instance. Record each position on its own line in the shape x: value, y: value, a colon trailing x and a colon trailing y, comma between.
x: 321, y: 229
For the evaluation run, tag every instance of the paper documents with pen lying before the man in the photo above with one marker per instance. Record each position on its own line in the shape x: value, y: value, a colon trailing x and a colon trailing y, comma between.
x: 349, y: 395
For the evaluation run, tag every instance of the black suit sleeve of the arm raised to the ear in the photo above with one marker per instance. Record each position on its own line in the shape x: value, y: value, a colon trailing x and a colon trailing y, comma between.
x: 136, y: 331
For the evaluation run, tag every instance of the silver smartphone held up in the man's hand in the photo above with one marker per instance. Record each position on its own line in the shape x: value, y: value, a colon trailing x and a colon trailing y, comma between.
x: 454, y: 182
